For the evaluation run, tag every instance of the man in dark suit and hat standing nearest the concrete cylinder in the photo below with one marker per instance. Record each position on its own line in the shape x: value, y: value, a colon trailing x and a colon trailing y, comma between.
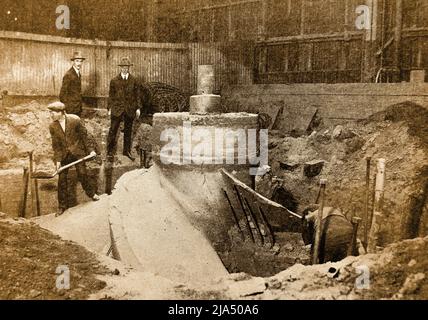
x: 124, y: 104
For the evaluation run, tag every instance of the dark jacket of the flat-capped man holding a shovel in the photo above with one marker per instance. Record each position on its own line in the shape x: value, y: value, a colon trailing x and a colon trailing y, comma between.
x: 74, y: 140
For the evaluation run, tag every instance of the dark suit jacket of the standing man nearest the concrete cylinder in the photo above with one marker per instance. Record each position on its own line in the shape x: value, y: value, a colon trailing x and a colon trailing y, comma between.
x: 124, y: 96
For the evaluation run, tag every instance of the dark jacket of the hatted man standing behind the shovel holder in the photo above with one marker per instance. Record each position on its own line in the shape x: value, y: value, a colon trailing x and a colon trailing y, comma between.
x: 71, y: 92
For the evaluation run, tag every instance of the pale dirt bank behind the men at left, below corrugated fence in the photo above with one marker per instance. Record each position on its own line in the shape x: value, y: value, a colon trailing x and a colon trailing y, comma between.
x: 25, y: 127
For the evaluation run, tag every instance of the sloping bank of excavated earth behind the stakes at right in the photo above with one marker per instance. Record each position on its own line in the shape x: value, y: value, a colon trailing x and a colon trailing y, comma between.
x: 398, y: 134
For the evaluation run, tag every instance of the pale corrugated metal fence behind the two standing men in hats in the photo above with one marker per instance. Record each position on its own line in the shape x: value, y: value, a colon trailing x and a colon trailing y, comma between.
x: 35, y: 64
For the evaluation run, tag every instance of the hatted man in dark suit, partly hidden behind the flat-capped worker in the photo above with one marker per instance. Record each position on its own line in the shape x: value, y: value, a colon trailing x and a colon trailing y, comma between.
x: 71, y: 89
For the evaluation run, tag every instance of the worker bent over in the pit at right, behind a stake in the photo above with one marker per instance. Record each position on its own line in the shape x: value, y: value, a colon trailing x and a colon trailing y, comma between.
x: 336, y: 233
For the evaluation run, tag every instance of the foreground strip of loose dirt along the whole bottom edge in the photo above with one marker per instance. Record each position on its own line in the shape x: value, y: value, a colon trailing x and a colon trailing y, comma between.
x: 30, y: 255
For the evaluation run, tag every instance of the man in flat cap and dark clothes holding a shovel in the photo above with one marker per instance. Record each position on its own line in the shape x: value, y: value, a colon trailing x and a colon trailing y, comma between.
x: 70, y: 143
